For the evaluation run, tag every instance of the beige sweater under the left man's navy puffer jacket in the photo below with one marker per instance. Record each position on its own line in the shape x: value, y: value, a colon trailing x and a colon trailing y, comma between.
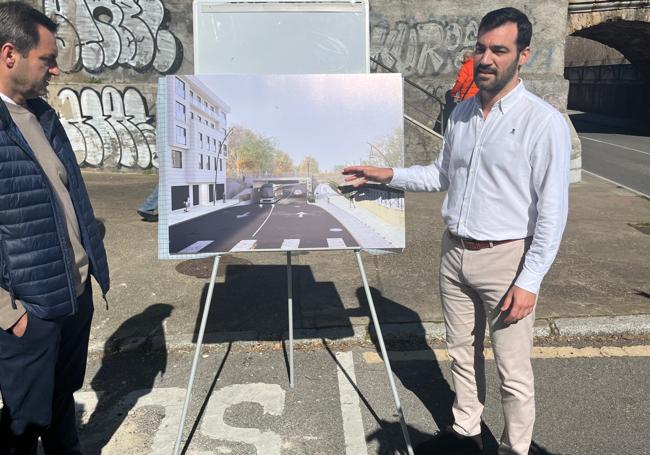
x: 55, y: 171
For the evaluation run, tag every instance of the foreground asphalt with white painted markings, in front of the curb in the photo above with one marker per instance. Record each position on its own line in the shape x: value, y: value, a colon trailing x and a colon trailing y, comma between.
x: 589, y: 401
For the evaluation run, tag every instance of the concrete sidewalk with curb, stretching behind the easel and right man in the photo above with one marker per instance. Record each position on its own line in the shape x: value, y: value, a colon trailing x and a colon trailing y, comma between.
x: 599, y: 284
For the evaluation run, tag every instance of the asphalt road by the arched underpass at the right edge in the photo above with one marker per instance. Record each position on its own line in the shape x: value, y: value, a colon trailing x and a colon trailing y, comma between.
x: 615, y: 151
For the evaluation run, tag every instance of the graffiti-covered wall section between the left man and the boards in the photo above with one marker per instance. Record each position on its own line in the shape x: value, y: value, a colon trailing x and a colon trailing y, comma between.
x: 111, y: 54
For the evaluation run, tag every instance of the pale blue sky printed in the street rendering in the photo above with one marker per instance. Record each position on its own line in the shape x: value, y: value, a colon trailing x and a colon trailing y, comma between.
x: 331, y: 117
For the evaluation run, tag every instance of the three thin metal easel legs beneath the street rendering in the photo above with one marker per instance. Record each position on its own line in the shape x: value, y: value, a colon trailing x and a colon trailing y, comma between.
x: 375, y: 321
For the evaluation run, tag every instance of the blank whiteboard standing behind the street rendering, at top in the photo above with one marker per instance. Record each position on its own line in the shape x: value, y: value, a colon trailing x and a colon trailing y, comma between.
x: 281, y: 37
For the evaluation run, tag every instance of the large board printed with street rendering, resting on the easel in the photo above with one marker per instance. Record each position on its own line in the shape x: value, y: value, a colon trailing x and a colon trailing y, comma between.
x: 253, y: 163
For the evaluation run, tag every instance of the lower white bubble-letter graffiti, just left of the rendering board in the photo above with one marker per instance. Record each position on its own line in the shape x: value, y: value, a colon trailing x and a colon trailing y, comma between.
x: 108, y: 128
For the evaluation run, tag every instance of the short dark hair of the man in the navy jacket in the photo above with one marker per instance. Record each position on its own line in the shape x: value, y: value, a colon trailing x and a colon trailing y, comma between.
x: 19, y: 25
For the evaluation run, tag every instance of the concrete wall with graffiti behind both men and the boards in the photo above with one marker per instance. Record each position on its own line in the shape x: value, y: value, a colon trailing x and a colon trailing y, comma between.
x: 113, y: 53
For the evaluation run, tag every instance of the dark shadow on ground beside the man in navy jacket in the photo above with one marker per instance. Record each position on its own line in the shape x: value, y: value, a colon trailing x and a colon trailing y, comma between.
x: 126, y: 373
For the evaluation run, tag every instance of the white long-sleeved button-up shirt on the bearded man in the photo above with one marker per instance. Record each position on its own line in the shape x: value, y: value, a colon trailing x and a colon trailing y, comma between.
x: 506, y: 176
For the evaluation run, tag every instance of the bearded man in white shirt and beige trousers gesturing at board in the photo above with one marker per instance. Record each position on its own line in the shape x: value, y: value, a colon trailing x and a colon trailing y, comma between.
x: 505, y: 167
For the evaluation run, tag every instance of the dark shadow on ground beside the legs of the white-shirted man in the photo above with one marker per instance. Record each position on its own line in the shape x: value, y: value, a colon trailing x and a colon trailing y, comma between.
x: 424, y: 379
